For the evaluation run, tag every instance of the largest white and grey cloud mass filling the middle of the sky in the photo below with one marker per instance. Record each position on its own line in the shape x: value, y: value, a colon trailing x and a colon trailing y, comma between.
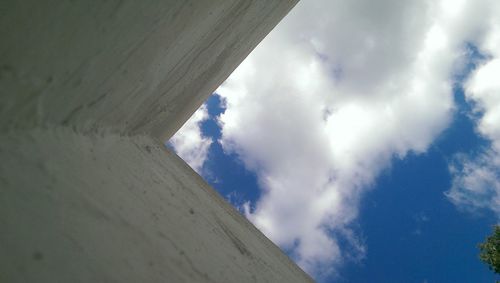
x: 324, y: 103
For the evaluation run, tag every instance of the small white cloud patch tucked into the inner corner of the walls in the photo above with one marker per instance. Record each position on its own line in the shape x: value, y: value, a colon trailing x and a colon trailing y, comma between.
x: 189, y: 143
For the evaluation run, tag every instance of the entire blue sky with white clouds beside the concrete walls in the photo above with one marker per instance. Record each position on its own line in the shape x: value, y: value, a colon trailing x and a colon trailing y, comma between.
x: 363, y: 138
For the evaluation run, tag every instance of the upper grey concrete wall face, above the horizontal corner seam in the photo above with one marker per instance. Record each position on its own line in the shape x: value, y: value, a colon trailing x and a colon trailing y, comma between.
x: 133, y: 66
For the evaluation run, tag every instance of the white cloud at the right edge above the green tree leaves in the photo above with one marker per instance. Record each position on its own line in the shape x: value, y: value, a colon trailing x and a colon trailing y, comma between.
x: 476, y: 179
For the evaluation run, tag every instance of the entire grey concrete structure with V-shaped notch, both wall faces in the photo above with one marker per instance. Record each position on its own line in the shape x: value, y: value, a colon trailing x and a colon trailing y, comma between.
x: 89, y: 90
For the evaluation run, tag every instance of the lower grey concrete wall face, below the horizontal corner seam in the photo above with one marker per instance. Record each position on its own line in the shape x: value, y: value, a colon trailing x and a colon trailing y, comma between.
x: 109, y: 208
